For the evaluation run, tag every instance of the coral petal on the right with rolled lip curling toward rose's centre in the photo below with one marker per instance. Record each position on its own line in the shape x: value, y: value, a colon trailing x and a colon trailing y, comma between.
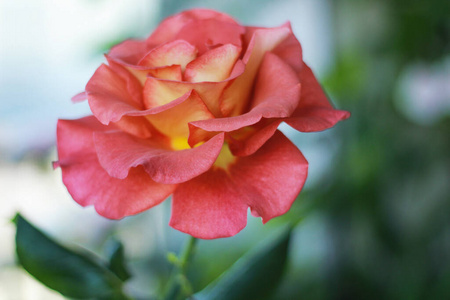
x: 277, y: 93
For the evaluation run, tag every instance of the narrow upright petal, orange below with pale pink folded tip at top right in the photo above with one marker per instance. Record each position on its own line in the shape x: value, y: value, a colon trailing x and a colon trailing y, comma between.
x: 263, y: 40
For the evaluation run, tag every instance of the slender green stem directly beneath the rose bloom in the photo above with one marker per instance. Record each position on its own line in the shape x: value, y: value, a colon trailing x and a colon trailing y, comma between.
x: 178, y: 286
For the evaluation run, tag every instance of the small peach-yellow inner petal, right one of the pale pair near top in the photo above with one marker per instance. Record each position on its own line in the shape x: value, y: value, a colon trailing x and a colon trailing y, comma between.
x: 215, y: 65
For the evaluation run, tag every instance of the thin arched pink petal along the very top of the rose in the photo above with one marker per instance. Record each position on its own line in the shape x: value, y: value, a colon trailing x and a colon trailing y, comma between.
x: 170, y: 27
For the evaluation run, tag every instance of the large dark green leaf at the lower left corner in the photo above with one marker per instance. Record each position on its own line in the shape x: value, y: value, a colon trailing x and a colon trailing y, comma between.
x: 73, y: 274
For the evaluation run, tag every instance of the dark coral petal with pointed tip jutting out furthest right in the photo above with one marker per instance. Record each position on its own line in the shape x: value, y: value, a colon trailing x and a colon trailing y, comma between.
x: 314, y: 112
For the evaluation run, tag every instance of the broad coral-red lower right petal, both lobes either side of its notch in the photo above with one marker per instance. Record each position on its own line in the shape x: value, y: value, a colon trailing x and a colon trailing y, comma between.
x: 214, y: 204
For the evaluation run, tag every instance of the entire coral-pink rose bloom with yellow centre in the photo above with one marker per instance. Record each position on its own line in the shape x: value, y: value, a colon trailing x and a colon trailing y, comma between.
x: 192, y: 112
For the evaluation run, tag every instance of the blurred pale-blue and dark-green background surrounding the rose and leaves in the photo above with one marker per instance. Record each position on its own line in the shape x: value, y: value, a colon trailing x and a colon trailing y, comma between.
x: 375, y: 212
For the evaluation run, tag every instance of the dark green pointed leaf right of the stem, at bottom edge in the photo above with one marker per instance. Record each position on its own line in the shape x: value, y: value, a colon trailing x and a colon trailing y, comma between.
x: 254, y: 275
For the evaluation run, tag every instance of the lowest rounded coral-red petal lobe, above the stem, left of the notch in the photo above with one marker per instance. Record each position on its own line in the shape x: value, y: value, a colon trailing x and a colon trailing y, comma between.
x: 209, y: 206
